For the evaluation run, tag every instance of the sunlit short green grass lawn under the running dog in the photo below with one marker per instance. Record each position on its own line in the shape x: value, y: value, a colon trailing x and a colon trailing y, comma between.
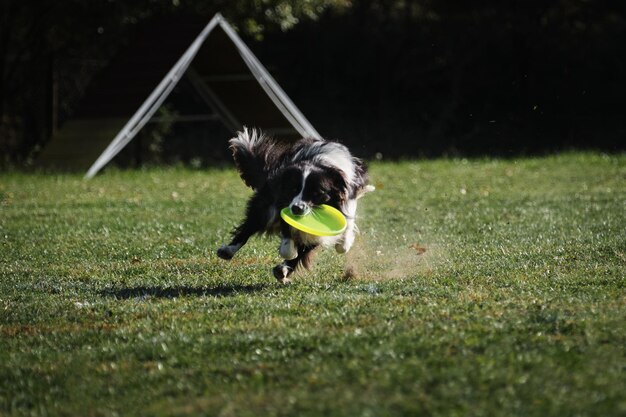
x: 481, y: 287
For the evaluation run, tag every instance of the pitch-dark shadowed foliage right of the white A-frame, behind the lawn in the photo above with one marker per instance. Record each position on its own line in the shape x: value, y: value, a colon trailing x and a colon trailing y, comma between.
x: 433, y: 77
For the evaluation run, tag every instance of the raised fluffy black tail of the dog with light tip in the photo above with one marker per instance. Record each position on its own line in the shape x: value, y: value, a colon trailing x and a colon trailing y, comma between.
x: 253, y: 153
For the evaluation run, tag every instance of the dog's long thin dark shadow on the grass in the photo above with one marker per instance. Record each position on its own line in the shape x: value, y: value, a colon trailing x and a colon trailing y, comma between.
x: 147, y: 292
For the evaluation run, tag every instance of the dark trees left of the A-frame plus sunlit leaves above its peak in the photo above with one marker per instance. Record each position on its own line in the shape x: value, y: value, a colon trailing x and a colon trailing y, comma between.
x: 51, y: 49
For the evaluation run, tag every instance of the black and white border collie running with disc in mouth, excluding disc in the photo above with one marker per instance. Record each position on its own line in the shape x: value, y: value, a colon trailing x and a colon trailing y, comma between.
x: 298, y: 175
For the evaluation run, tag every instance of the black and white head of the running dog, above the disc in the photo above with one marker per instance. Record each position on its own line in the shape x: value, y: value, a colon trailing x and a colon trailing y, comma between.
x: 304, y: 186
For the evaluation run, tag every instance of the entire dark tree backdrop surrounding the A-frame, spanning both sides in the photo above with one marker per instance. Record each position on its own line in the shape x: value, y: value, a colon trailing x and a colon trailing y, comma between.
x: 395, y: 77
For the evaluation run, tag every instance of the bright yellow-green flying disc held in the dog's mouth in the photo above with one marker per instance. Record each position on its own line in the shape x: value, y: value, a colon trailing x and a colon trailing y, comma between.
x: 323, y: 220
